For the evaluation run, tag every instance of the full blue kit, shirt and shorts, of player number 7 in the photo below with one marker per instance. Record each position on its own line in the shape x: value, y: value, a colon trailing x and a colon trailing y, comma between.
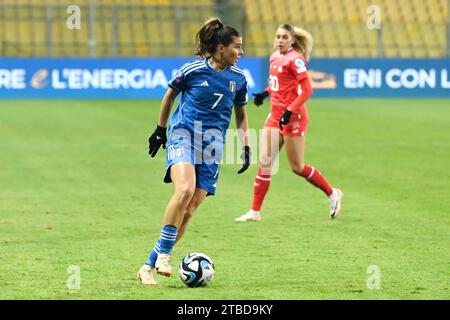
x: 198, y: 126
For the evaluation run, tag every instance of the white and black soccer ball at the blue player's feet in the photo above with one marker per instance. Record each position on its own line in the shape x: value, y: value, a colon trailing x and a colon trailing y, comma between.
x: 196, y: 270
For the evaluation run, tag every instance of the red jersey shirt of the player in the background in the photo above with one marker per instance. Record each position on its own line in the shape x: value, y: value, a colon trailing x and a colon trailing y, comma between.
x: 286, y: 72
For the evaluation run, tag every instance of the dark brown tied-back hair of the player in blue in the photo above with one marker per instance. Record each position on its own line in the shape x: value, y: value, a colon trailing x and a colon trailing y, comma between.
x: 212, y: 34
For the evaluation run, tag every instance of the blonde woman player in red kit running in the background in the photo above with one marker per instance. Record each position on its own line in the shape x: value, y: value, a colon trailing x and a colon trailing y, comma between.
x: 288, y: 118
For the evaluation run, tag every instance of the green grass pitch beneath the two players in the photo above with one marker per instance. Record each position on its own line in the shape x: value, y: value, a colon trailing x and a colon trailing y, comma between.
x: 77, y: 188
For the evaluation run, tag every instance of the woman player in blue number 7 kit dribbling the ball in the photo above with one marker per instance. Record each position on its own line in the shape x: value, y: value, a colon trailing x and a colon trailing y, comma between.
x: 210, y: 88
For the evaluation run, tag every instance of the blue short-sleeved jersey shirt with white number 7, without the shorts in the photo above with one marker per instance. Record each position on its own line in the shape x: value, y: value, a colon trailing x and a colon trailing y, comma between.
x: 208, y: 96
